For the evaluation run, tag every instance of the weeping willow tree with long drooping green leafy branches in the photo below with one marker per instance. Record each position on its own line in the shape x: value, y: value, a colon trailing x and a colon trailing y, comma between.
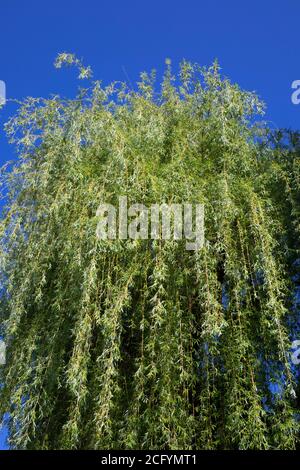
x: 141, y: 344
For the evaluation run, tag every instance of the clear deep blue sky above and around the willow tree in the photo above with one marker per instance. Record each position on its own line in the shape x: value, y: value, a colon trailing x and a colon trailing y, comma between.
x: 256, y: 42
